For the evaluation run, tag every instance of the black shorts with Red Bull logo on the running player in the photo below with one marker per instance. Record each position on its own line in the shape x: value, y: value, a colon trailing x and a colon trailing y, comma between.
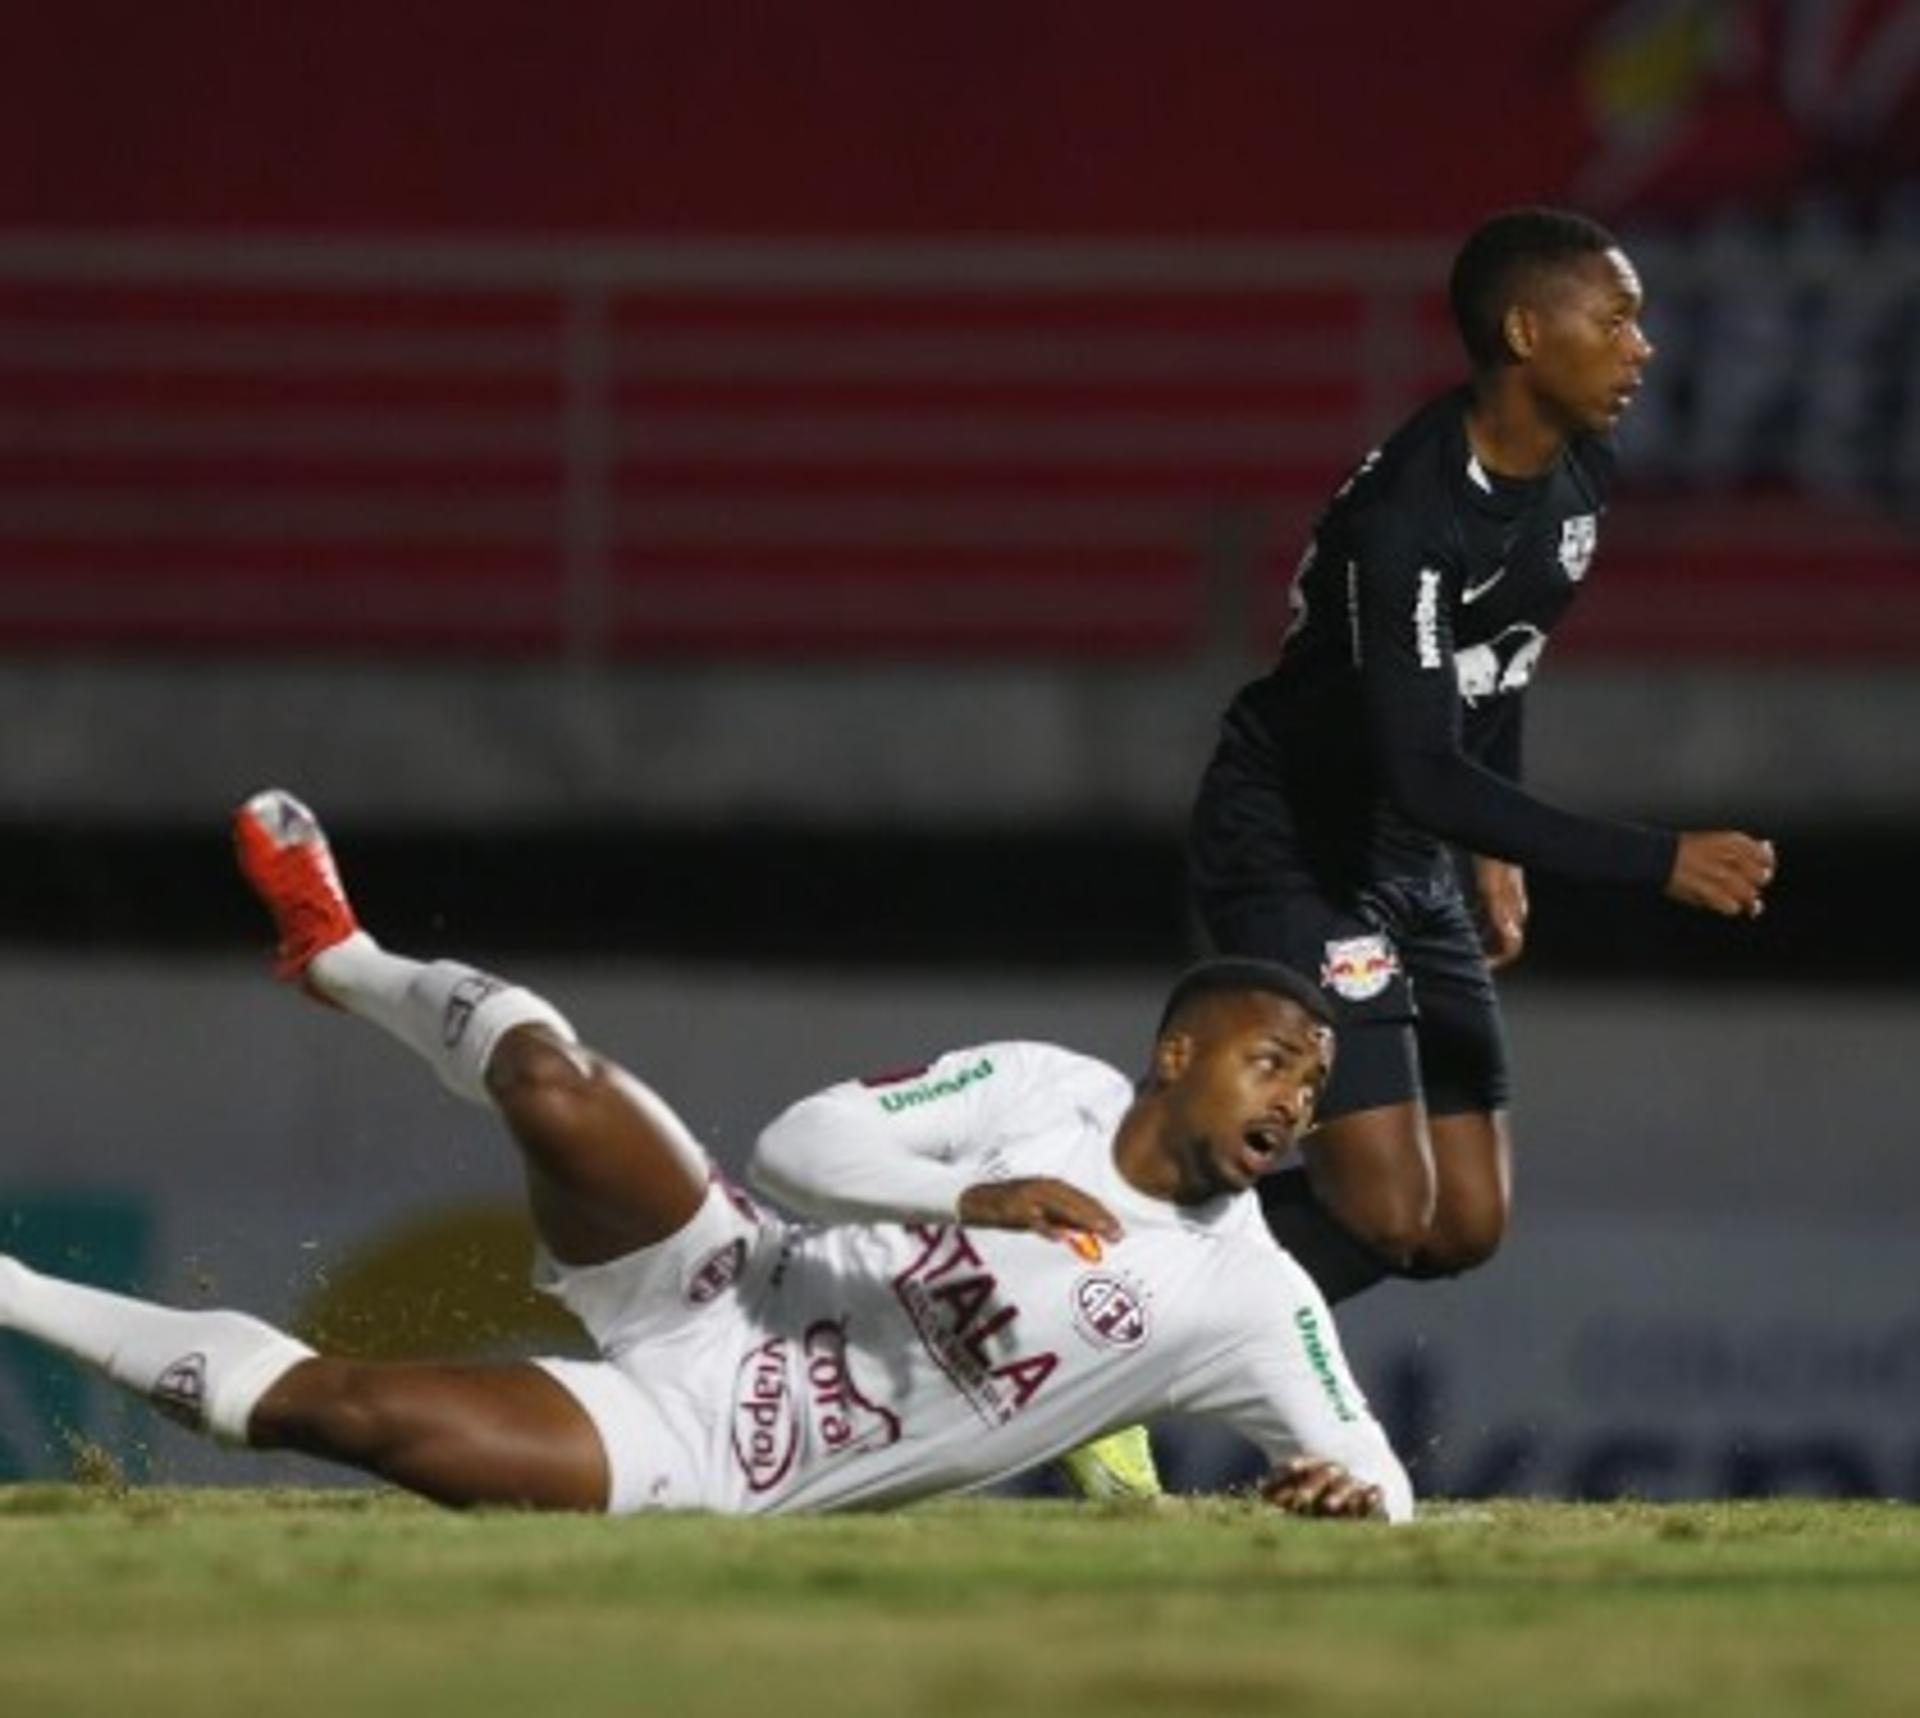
x: 1401, y: 957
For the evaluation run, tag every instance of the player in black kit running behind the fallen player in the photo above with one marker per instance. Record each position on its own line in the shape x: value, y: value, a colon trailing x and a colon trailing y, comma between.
x: 1389, y: 738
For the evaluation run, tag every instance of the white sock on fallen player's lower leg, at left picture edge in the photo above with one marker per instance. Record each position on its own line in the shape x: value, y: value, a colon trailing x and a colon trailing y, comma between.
x: 204, y: 1370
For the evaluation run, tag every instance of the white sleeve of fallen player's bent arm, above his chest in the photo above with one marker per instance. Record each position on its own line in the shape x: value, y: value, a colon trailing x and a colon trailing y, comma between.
x: 900, y: 1147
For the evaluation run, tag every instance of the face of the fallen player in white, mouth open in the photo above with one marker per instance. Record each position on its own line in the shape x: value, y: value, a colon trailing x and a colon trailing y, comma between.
x: 1259, y: 1068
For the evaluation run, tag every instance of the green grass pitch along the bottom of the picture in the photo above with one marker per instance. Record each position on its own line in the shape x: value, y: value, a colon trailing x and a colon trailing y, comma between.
x: 354, y: 1604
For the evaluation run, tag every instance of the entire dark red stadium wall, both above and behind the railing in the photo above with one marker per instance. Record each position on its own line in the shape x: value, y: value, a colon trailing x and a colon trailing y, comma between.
x: 283, y: 448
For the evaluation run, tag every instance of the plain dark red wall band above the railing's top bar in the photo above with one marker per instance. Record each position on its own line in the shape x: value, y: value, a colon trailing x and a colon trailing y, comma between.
x: 1218, y: 118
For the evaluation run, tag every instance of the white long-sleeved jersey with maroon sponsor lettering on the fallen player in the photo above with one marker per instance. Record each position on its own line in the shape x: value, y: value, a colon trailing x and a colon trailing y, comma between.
x: 886, y: 1360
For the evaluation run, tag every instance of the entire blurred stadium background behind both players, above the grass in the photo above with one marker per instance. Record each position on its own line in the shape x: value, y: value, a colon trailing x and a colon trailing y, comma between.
x: 750, y: 513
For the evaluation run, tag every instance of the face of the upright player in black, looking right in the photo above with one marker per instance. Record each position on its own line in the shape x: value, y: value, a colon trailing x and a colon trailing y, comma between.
x: 1589, y: 345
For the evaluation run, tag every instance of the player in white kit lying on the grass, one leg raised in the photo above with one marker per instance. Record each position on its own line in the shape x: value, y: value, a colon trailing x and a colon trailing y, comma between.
x: 1017, y: 1251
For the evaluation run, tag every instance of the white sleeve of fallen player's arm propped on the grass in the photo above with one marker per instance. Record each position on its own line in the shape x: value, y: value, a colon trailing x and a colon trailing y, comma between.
x: 1280, y: 1377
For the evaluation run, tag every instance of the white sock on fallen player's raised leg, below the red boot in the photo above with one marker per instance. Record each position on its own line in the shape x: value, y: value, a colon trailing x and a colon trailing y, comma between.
x: 446, y: 1013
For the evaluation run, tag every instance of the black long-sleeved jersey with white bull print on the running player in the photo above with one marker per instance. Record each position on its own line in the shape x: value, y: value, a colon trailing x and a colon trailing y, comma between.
x: 1393, y: 719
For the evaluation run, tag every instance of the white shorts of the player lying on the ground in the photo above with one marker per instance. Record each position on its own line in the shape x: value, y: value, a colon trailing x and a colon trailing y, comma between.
x: 673, y: 1327
